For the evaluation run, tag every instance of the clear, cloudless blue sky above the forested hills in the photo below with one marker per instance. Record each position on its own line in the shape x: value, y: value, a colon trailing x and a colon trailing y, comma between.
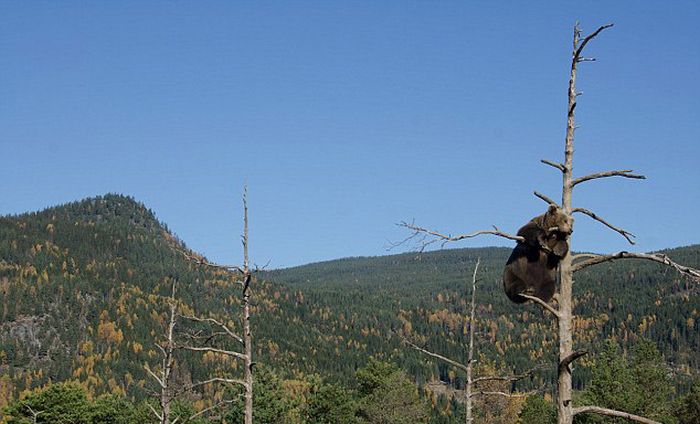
x: 348, y: 117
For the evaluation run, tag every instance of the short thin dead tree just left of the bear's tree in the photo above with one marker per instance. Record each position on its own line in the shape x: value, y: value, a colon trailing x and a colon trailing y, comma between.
x: 470, y: 391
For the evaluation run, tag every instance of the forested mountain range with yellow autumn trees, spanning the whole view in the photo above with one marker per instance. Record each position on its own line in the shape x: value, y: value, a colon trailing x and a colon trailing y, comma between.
x: 84, y: 289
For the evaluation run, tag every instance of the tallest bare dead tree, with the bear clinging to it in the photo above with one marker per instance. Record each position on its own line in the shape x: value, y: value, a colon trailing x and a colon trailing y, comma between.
x: 563, y: 310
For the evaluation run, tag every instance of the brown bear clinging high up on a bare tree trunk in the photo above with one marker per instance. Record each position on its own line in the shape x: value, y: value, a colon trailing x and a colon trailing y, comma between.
x: 531, y: 267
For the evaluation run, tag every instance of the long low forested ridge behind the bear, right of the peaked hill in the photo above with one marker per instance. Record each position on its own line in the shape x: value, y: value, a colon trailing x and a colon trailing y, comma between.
x: 425, y: 296
